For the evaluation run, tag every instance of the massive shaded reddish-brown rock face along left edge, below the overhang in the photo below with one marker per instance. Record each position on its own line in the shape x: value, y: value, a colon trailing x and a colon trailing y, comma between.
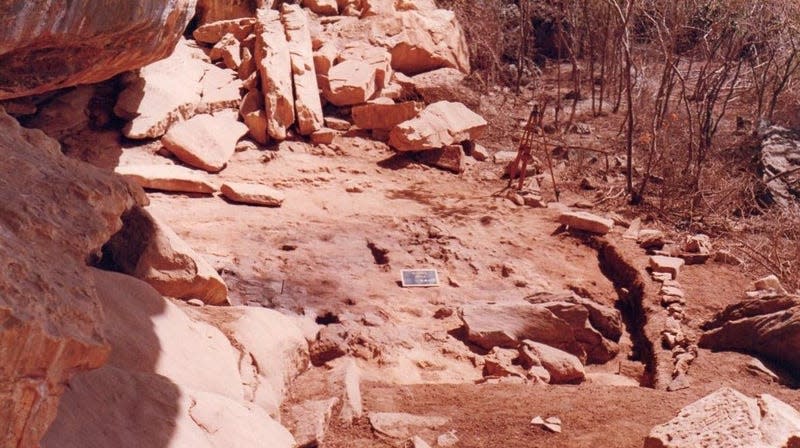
x: 55, y: 213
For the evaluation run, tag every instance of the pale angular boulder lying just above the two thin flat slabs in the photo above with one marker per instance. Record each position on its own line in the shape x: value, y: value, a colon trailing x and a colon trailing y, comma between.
x: 205, y: 141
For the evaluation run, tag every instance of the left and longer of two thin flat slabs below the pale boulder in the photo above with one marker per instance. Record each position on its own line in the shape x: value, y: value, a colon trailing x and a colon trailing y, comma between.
x: 167, y: 178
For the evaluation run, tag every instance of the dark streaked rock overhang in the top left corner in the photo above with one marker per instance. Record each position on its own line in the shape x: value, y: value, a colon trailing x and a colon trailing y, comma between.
x: 45, y: 47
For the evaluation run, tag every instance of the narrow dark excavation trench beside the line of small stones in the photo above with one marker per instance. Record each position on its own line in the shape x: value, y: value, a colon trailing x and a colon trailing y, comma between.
x: 630, y: 289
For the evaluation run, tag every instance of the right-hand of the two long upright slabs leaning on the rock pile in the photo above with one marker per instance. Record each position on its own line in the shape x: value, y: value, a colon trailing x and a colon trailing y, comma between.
x: 307, y: 105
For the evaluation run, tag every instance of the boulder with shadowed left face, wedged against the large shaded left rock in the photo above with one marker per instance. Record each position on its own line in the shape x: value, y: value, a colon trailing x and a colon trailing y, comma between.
x: 149, y: 250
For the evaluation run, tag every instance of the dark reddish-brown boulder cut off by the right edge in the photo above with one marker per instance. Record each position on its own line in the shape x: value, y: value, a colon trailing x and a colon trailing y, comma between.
x: 767, y: 327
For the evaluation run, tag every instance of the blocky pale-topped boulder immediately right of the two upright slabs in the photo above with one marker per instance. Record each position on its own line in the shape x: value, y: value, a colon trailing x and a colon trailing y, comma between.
x: 350, y: 82
